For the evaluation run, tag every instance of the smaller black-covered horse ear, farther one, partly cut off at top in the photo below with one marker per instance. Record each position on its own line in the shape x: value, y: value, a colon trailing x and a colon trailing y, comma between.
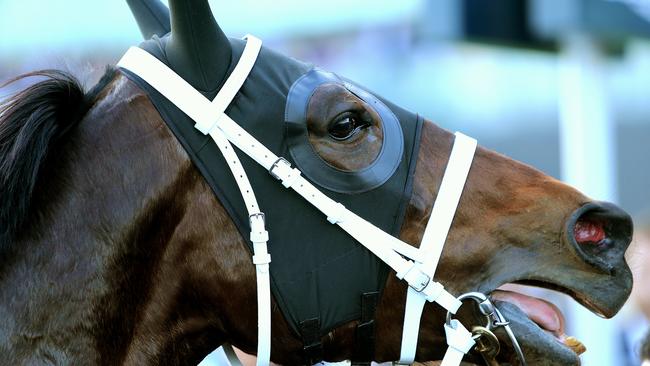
x: 152, y: 17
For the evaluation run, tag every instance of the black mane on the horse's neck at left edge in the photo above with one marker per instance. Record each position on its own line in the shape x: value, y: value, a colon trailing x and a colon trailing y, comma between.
x: 33, y: 122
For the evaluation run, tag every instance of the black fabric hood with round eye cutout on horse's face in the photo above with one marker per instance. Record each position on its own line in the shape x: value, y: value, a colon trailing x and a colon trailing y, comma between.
x: 317, y: 271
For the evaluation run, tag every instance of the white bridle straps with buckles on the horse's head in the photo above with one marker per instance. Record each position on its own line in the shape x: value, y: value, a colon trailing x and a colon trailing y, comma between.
x: 415, y: 266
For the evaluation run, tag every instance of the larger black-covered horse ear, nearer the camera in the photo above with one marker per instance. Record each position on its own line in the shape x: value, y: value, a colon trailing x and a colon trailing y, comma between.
x: 197, y: 50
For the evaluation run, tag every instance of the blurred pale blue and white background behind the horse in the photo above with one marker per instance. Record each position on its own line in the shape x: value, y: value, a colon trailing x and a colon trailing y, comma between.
x: 563, y: 85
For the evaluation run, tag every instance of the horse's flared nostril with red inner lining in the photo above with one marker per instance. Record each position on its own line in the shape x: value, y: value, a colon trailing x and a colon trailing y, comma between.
x: 600, y: 233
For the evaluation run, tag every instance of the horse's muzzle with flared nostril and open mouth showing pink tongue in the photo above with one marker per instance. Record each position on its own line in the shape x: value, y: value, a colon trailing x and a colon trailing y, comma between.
x: 594, y: 273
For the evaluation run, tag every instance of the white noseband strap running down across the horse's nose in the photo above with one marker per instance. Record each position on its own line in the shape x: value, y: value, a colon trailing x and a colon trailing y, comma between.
x: 435, y: 235
